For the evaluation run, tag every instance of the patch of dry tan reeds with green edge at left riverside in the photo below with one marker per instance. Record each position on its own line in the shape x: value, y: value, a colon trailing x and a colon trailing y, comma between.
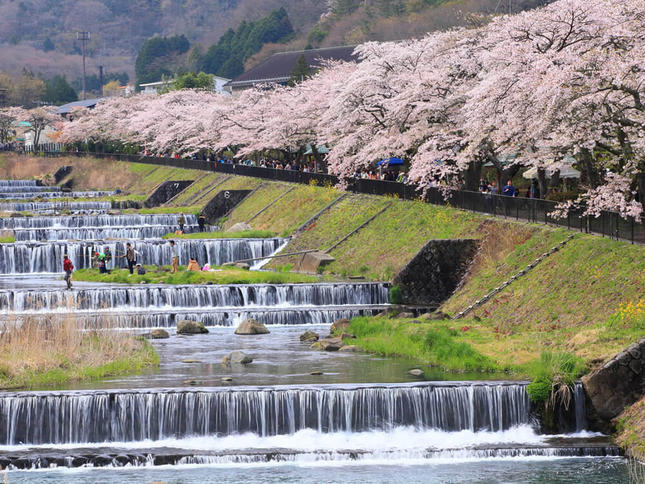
x: 62, y: 349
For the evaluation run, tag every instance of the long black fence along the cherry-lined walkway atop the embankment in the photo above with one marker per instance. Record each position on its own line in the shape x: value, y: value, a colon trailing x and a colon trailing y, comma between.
x: 608, y: 224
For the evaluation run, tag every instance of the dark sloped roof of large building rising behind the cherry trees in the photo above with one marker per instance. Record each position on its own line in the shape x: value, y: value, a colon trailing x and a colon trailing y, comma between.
x: 278, y: 67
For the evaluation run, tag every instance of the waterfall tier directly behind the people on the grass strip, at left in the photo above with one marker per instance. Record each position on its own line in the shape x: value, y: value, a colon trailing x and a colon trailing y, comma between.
x: 20, y: 258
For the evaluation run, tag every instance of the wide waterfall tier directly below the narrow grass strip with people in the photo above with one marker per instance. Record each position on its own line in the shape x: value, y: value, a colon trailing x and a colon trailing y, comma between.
x: 238, y: 295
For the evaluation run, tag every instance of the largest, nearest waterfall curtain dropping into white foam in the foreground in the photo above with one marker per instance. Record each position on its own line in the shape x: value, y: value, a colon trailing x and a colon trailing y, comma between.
x: 68, y: 417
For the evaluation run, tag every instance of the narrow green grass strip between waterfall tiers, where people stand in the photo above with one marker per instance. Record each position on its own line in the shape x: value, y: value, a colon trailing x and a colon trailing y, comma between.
x: 226, y: 275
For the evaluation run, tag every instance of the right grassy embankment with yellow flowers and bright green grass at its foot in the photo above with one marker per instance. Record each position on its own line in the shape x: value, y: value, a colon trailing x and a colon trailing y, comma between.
x: 585, y: 301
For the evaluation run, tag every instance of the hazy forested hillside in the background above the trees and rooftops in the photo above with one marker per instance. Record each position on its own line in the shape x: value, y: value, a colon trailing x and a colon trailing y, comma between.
x: 40, y: 35
